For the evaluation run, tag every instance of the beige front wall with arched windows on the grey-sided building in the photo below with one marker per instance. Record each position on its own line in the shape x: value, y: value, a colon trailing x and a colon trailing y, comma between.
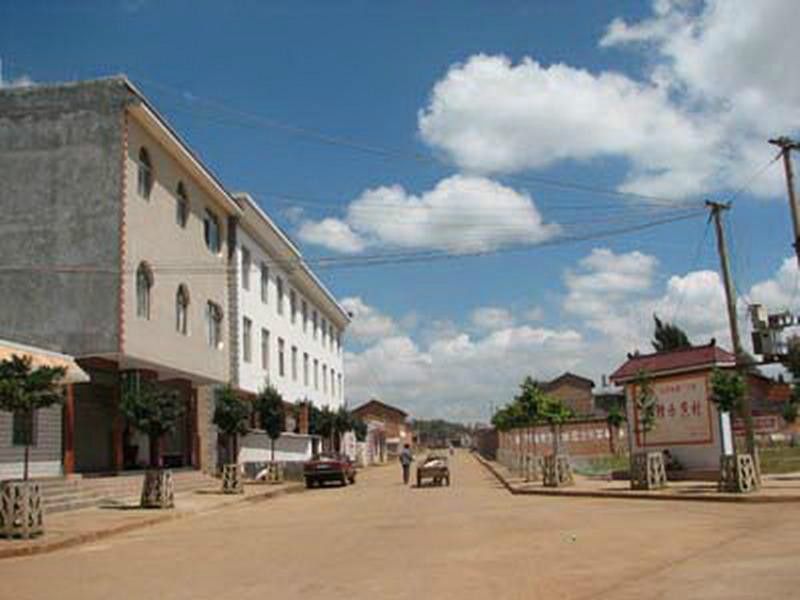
x: 178, y: 255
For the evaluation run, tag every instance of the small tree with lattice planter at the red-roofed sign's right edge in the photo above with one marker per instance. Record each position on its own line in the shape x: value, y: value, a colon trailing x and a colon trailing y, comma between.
x: 737, y: 471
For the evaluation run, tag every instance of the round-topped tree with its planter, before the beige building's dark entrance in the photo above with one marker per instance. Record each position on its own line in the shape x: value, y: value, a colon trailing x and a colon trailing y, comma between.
x: 154, y: 410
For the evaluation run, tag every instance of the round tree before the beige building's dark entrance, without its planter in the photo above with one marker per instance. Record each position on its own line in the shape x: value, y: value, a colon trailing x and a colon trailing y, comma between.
x: 151, y: 408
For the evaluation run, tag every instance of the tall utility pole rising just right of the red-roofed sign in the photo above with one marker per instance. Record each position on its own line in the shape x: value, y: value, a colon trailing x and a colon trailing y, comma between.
x: 716, y: 209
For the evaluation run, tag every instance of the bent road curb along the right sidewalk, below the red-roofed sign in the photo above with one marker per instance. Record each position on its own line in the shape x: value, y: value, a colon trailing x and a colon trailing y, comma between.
x: 632, y: 495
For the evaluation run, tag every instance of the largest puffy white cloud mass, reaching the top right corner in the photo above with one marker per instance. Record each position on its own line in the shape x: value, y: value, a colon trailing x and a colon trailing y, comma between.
x: 697, y: 121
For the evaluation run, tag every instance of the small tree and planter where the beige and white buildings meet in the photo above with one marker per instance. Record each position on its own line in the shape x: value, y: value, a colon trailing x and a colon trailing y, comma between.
x: 231, y: 416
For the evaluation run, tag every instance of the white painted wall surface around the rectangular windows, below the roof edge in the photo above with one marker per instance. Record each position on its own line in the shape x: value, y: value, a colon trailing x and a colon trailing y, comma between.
x: 265, y: 315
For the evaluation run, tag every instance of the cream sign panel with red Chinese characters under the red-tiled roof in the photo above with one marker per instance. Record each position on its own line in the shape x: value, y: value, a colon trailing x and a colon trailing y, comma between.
x: 682, y: 413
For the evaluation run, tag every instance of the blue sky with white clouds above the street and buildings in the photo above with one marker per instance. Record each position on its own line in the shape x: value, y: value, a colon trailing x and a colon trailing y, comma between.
x: 528, y: 177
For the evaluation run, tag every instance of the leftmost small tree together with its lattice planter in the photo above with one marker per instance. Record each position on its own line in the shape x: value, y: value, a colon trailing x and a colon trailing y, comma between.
x: 24, y: 390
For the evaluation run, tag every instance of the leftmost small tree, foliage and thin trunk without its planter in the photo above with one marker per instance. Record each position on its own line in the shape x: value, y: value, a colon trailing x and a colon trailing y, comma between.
x: 24, y: 390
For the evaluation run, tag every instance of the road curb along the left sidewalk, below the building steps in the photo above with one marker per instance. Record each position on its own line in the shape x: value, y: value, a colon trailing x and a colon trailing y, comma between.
x: 100, y: 534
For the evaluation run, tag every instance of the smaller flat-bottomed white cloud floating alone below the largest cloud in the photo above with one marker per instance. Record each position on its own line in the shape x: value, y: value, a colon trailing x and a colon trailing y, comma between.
x: 460, y: 214
